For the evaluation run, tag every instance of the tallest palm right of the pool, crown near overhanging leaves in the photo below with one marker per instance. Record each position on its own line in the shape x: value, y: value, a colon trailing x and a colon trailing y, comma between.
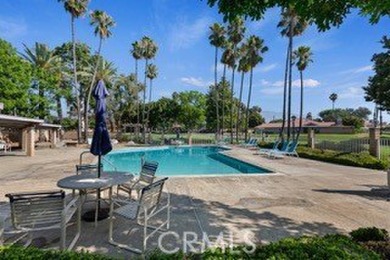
x: 292, y: 25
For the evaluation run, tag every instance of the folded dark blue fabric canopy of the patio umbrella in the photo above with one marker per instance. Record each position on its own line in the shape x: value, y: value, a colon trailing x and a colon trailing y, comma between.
x: 101, y: 143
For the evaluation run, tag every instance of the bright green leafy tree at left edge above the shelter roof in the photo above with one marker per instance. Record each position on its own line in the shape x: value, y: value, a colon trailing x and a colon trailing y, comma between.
x: 15, y: 81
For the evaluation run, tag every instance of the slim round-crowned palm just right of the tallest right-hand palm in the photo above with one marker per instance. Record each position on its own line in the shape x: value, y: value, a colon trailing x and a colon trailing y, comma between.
x: 302, y: 56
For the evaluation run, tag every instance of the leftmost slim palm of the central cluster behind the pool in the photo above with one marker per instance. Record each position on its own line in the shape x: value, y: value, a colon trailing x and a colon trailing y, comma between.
x: 217, y: 39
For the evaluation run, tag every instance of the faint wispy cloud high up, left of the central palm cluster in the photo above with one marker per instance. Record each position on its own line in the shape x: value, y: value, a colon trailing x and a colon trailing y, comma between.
x: 185, y: 34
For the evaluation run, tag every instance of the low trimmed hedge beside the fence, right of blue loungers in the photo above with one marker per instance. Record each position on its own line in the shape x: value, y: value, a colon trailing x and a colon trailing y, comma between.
x: 362, y: 159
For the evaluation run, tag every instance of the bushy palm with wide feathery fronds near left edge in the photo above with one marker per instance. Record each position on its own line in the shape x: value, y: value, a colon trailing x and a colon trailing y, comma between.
x: 42, y: 59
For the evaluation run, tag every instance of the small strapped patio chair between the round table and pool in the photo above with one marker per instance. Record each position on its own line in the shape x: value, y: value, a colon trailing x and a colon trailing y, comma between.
x: 146, y: 177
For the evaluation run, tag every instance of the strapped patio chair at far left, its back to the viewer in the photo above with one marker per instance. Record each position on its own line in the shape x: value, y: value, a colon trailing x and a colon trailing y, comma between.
x: 40, y: 211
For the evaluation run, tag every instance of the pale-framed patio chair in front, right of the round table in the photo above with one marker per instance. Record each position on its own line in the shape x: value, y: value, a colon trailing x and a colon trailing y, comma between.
x: 141, y: 211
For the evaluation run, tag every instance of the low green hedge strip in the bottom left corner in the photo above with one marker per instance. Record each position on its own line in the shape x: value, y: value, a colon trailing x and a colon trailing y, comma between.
x: 17, y: 252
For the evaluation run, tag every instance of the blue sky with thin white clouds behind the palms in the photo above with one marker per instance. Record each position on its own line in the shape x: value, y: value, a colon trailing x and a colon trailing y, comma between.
x: 185, y: 58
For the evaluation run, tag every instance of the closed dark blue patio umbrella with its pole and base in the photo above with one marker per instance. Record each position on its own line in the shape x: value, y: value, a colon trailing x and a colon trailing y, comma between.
x: 101, y: 143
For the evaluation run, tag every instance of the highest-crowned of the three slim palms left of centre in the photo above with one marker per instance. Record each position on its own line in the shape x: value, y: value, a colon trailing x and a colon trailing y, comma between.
x: 149, y: 51
